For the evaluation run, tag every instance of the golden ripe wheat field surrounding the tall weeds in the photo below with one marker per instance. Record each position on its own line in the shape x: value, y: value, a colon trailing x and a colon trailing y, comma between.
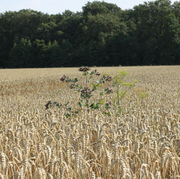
x: 142, y: 143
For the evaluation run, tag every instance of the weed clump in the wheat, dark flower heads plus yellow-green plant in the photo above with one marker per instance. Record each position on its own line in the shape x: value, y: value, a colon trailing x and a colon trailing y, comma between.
x: 94, y: 90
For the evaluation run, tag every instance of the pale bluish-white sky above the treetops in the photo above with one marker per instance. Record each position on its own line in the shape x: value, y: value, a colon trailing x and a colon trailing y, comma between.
x: 59, y: 6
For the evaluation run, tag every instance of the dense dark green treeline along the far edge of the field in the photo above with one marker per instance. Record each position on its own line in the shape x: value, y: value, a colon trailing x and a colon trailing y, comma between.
x: 102, y: 34
